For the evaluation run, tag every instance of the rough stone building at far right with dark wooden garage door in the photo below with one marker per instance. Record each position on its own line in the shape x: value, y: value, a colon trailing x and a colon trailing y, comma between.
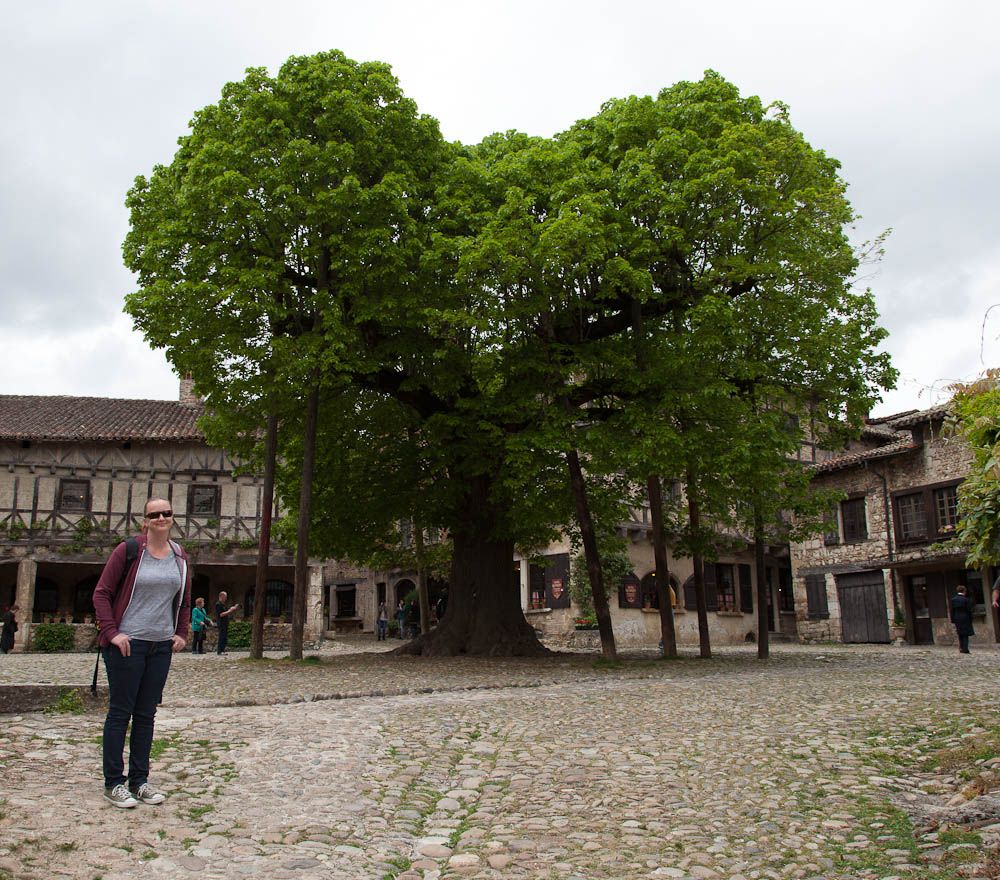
x: 884, y: 567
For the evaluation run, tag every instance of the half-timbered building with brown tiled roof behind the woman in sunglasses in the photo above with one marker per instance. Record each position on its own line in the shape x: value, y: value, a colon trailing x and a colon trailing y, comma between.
x: 74, y: 476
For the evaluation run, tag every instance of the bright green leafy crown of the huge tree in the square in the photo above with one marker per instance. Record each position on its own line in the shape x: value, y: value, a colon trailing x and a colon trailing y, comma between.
x: 652, y: 287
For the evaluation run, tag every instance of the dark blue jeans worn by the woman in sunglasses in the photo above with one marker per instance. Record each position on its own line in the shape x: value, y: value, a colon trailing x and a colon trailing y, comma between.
x: 135, y: 687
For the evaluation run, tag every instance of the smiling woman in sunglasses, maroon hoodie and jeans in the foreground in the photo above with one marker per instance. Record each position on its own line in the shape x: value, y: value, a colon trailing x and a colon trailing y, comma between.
x: 144, y: 614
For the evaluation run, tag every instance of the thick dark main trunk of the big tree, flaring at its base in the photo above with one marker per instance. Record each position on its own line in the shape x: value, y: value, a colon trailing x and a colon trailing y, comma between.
x: 484, y: 616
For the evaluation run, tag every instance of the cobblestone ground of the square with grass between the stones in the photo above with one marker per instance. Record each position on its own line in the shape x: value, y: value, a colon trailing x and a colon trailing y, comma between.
x: 367, y: 765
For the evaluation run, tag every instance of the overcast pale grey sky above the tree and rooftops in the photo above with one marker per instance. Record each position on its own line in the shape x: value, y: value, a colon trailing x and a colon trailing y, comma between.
x: 902, y: 93
